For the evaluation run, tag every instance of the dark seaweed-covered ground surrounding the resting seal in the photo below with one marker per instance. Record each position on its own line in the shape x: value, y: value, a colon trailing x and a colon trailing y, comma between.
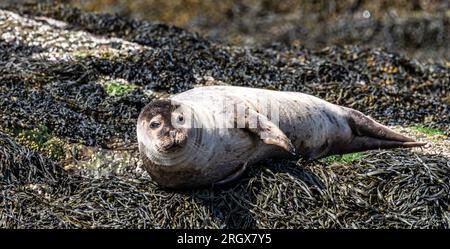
x: 56, y: 59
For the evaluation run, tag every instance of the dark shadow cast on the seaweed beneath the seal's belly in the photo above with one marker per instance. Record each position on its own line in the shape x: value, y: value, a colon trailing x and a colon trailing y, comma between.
x: 232, y: 203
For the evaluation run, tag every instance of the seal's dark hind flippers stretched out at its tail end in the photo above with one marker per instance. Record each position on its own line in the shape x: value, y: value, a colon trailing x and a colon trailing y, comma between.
x: 370, y: 134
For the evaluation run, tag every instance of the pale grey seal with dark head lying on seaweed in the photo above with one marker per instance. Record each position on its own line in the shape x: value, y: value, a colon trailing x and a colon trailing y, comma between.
x: 210, y: 135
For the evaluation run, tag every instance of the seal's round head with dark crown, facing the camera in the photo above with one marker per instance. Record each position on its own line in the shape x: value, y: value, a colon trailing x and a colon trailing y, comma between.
x: 162, y: 127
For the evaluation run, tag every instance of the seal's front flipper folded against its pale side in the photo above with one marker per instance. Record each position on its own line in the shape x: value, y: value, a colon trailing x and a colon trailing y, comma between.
x: 269, y: 133
